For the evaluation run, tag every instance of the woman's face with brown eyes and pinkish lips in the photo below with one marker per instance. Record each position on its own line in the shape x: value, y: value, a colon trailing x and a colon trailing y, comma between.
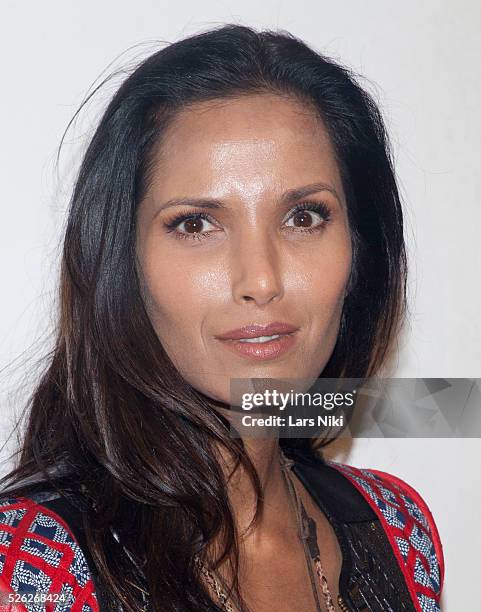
x: 245, y: 224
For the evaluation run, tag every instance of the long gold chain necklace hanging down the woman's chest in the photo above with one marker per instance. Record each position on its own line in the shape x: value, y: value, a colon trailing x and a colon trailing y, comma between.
x: 307, y: 534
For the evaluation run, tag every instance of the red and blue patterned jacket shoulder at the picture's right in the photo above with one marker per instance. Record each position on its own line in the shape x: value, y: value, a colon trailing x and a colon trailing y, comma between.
x: 409, y: 525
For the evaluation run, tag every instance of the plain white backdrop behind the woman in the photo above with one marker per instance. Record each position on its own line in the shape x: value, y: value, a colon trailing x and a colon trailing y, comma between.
x: 422, y: 63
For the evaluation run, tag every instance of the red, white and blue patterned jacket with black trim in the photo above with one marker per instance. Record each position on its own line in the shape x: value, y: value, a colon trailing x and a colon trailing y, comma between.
x: 43, y: 568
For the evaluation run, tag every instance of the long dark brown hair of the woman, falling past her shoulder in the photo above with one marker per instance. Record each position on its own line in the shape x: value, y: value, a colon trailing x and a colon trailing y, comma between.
x: 135, y: 441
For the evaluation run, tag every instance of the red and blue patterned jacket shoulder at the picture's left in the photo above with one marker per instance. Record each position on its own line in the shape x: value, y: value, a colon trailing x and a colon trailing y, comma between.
x: 41, y: 562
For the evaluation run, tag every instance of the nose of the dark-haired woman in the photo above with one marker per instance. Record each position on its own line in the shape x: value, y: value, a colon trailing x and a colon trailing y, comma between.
x: 256, y: 269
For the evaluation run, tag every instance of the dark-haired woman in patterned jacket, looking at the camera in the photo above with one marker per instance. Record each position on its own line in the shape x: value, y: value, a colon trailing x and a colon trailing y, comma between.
x: 235, y: 215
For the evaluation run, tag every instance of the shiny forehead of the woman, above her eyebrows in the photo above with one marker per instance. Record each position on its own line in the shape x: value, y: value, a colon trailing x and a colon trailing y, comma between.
x: 253, y: 143
